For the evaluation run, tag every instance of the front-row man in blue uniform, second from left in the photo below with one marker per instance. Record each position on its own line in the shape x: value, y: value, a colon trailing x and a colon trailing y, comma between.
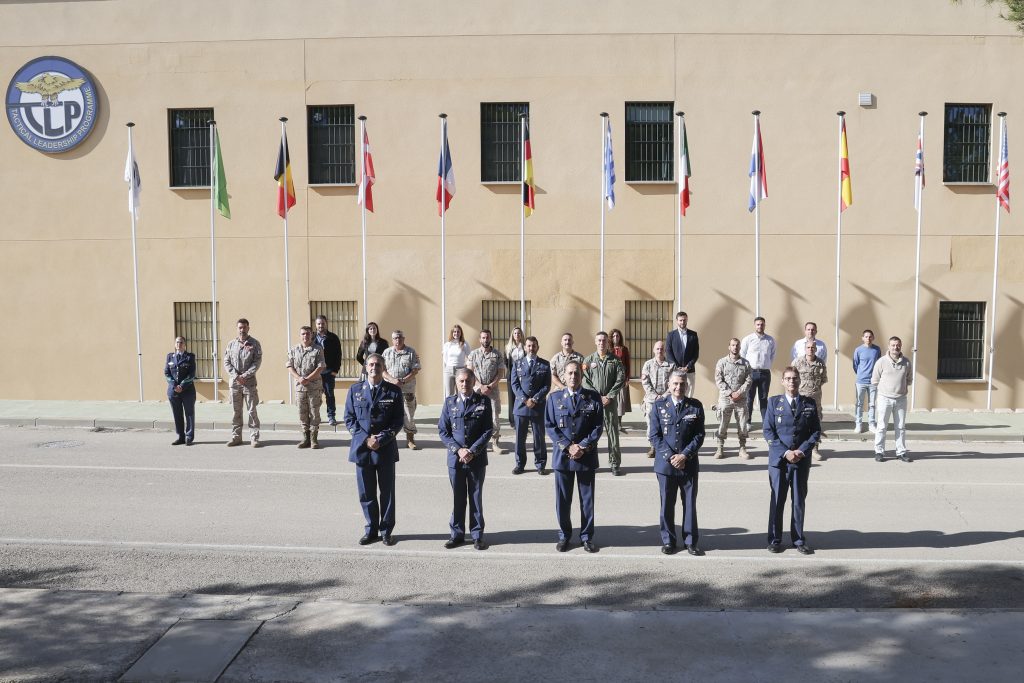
x: 465, y: 428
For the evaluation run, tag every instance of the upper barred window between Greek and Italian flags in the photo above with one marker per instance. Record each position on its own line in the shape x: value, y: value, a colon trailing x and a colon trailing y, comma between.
x: 649, y: 143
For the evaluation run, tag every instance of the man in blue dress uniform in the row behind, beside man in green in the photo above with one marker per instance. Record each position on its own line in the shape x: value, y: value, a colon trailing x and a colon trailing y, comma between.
x: 531, y: 383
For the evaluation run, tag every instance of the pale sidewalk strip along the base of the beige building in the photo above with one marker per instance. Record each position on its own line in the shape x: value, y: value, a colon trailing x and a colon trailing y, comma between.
x: 959, y: 425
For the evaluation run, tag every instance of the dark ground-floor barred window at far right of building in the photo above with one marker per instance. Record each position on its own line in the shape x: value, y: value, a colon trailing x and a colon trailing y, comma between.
x: 962, y: 340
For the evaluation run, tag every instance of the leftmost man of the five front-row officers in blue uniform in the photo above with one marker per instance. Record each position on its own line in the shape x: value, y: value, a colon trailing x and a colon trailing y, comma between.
x: 374, y: 416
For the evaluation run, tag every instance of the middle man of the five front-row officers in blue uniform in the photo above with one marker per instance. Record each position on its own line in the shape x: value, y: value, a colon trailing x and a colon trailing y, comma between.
x: 575, y: 419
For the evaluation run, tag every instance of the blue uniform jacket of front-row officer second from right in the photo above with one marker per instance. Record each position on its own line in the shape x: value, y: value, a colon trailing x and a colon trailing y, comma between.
x: 672, y: 433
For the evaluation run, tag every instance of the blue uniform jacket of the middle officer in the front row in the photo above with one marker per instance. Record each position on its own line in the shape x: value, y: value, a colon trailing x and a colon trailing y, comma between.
x: 582, y: 425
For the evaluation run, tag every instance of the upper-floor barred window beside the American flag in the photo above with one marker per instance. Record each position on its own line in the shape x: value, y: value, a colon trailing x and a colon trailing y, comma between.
x: 968, y: 132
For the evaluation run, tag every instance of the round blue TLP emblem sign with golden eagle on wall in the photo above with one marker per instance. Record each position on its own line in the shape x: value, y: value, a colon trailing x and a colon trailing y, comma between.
x: 52, y: 105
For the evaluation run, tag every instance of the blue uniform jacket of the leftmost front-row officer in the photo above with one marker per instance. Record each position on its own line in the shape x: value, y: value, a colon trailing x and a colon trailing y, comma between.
x: 382, y: 418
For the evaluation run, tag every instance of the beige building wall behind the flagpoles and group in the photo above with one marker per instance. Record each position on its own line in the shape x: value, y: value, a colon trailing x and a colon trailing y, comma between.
x: 66, y: 240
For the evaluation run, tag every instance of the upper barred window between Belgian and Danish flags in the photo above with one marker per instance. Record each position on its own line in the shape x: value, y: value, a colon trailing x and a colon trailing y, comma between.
x: 331, y: 144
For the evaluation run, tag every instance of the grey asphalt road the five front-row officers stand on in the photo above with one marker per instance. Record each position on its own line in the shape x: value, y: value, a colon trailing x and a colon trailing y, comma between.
x: 124, y: 511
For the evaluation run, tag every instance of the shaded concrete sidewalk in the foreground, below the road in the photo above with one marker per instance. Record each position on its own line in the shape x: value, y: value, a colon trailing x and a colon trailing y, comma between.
x: 82, y: 635
